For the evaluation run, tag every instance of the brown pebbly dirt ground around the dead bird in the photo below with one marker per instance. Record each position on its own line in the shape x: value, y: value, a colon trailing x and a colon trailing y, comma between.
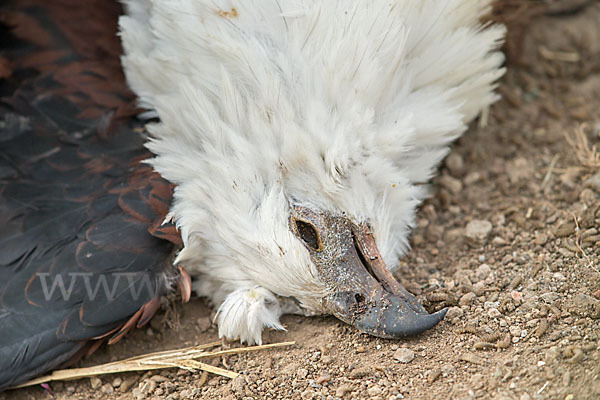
x: 510, y: 241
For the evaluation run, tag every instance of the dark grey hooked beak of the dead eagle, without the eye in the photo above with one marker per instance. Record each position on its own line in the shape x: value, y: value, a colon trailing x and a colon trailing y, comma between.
x: 377, y: 303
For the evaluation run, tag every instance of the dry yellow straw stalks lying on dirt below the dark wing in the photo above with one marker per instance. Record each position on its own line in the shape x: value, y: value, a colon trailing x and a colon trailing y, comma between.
x: 186, y: 358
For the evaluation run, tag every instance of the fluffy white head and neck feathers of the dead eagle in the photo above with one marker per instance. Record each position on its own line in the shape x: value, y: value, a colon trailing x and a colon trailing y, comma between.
x: 342, y: 106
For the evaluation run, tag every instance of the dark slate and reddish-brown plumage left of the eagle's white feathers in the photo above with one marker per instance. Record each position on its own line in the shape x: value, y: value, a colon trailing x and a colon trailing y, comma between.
x: 75, y: 201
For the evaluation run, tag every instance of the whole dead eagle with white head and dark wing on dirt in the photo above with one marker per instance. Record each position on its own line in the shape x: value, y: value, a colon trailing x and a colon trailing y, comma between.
x: 272, y: 160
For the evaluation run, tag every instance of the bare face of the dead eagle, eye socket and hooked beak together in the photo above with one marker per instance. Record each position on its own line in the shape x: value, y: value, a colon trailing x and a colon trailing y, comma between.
x: 361, y: 289
